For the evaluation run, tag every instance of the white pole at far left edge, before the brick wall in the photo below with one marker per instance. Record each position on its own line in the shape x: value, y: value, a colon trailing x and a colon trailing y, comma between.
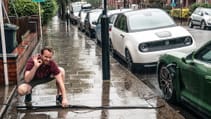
x: 3, y: 46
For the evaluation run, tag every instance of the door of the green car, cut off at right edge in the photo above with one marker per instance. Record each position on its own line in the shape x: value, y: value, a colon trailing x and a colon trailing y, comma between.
x: 204, y: 56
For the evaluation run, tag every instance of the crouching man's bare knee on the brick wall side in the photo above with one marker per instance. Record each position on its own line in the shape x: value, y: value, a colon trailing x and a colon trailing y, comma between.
x: 24, y: 89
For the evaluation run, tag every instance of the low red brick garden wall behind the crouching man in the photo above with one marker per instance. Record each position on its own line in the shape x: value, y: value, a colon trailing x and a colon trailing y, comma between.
x: 17, y: 59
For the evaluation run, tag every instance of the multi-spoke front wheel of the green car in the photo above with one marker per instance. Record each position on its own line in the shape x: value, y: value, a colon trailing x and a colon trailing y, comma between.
x: 165, y: 80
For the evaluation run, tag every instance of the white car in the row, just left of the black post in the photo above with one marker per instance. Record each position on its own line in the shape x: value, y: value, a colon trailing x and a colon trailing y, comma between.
x: 90, y: 18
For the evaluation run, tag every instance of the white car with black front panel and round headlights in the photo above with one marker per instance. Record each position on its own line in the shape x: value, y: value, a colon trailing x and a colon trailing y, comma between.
x: 140, y: 37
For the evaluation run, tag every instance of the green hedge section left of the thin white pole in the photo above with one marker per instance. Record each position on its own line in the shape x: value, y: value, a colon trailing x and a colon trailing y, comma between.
x: 23, y: 8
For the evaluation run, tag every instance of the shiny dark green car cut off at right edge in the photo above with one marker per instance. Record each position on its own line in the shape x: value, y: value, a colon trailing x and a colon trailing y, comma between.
x: 187, y: 77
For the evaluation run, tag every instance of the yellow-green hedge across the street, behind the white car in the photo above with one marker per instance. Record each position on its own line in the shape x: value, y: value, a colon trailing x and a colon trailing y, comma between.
x: 176, y: 13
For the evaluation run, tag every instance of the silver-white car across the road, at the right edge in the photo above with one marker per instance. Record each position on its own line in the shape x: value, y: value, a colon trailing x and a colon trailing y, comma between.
x: 200, y: 17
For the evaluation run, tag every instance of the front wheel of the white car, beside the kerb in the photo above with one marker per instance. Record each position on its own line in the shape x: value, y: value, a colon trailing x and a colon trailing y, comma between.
x: 129, y: 61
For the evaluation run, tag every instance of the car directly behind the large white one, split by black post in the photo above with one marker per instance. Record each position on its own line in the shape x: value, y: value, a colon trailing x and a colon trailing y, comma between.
x: 111, y: 16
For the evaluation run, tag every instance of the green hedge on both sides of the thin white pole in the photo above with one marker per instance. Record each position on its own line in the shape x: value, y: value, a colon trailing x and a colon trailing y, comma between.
x: 28, y: 8
